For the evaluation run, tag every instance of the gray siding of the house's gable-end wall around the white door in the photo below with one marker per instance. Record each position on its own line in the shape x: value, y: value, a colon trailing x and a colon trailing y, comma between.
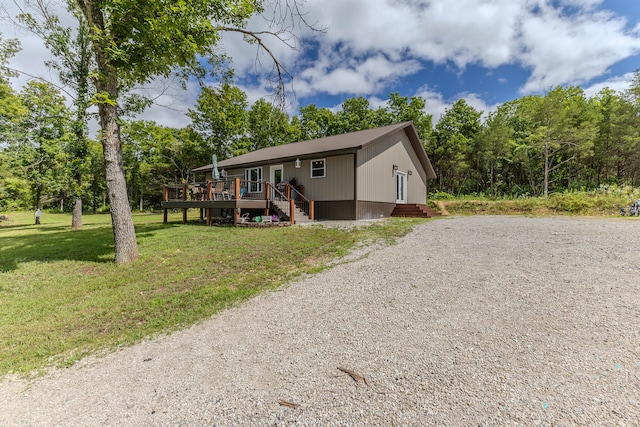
x: 376, y: 178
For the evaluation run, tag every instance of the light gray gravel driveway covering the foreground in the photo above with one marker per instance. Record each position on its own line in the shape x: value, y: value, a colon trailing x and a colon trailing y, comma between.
x: 467, y: 321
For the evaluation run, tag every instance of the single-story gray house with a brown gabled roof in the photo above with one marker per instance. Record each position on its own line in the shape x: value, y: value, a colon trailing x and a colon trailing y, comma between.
x: 357, y: 175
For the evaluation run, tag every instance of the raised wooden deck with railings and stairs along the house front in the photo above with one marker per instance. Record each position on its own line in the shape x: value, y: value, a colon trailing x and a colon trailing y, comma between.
x: 233, y: 195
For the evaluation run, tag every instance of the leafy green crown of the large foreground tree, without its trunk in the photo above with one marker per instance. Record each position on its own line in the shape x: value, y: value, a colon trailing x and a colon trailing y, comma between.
x: 145, y: 39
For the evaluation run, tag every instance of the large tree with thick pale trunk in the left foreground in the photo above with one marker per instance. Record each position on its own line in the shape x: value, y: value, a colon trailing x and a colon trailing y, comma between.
x: 133, y: 42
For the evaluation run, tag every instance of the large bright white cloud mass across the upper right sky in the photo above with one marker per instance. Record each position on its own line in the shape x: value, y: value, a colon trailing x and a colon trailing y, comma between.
x: 557, y: 45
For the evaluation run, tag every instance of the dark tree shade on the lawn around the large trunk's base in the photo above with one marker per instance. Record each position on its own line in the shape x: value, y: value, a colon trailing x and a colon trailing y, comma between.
x: 58, y: 243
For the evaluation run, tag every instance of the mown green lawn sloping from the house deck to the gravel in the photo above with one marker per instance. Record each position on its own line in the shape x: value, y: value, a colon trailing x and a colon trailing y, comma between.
x: 62, y: 297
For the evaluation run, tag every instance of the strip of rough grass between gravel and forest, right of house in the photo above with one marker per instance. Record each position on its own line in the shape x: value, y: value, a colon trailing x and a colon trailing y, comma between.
x: 596, y: 203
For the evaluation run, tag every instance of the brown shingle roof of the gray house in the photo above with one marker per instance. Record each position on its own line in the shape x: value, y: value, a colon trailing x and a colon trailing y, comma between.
x: 329, y: 145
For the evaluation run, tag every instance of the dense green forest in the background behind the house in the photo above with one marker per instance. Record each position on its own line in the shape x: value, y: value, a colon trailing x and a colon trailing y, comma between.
x: 557, y: 141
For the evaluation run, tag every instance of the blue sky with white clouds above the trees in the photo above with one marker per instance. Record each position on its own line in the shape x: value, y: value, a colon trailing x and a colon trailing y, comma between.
x: 486, y: 51
